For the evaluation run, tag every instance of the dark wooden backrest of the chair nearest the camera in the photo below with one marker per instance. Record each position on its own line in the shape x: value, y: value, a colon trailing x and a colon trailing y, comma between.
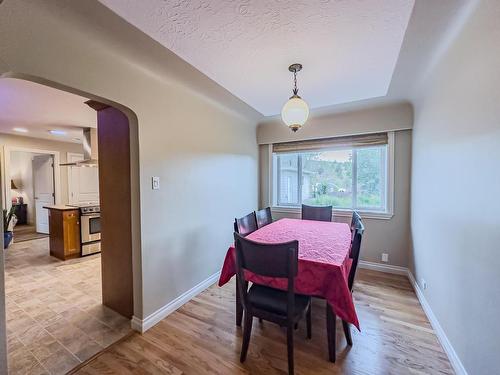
x: 272, y: 260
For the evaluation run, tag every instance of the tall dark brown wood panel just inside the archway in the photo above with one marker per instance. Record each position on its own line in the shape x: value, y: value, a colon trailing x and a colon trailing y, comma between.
x: 113, y: 137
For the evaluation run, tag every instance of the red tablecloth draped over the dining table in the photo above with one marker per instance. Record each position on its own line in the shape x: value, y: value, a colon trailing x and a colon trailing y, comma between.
x: 324, y: 261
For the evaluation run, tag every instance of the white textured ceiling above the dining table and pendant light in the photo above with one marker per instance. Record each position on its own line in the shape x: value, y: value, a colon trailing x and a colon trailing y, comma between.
x: 348, y: 48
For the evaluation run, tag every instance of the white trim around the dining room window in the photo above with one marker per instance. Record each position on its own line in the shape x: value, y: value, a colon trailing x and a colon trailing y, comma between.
x: 343, y: 212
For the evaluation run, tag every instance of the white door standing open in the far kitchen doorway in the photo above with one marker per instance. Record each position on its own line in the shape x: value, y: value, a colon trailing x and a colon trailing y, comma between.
x: 43, y: 184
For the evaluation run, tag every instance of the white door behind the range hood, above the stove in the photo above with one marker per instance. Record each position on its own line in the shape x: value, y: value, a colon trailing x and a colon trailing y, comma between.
x: 83, y: 182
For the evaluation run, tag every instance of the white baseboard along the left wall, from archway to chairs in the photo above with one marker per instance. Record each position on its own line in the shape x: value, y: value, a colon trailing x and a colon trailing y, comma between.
x: 142, y: 325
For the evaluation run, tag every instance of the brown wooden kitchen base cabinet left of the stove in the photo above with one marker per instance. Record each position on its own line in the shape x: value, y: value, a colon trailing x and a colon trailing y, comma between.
x: 64, y: 229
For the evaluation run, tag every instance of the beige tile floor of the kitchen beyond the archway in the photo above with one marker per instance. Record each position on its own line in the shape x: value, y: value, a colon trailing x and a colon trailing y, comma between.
x: 55, y: 319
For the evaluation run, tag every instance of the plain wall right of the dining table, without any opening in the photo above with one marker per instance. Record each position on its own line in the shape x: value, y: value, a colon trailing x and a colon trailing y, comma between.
x: 456, y: 188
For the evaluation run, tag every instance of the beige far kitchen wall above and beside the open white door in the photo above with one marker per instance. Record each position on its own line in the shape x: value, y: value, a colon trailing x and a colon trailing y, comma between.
x: 12, y: 142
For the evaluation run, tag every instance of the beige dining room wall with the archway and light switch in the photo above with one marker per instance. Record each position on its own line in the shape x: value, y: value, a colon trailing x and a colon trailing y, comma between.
x: 197, y: 137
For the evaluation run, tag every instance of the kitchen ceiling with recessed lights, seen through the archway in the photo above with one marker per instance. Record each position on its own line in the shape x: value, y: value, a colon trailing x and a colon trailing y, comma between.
x: 38, y: 109
